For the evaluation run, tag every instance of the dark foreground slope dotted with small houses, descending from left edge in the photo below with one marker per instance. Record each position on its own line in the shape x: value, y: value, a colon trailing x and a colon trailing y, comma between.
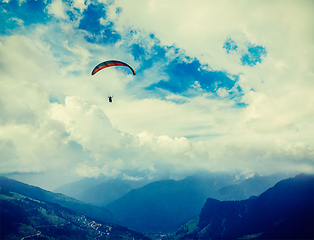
x: 22, y: 217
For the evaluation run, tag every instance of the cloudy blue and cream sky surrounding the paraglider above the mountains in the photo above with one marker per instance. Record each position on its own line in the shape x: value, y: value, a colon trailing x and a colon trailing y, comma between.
x: 223, y: 86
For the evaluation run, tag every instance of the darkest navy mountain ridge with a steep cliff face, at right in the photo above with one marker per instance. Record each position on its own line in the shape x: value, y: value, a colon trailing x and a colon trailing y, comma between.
x: 270, y: 215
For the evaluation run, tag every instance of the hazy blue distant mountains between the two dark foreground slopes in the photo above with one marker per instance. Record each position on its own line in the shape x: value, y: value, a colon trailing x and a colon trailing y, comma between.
x: 149, y: 208
